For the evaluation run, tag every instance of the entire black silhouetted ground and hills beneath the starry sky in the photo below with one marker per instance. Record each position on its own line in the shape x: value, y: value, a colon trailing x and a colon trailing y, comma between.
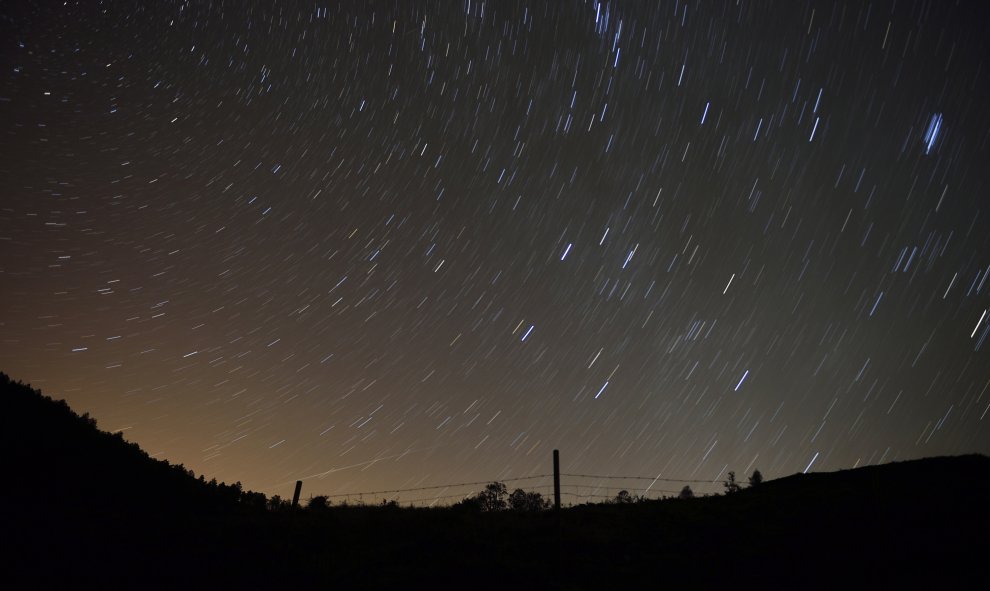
x: 86, y: 508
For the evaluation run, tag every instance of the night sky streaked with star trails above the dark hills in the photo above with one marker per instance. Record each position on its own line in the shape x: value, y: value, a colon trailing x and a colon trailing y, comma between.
x: 394, y: 245
